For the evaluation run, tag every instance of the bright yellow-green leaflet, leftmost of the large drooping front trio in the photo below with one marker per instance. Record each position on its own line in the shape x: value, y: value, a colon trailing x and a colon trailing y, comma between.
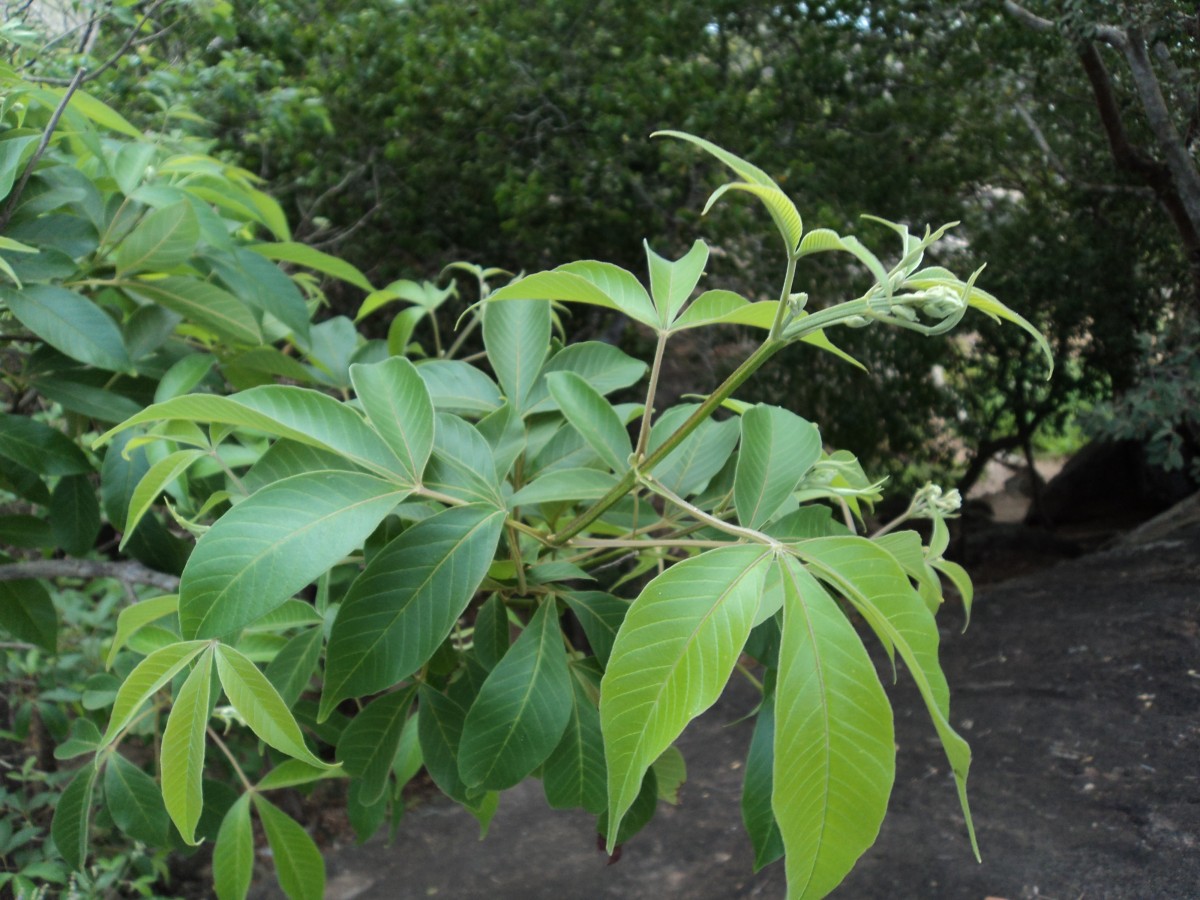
x: 671, y: 661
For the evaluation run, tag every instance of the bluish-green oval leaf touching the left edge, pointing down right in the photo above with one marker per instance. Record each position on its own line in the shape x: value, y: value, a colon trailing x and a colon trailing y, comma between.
x: 71, y: 325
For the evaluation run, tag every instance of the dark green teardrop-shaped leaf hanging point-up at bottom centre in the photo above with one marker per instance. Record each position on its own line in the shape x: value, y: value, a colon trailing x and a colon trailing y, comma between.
x: 523, y: 709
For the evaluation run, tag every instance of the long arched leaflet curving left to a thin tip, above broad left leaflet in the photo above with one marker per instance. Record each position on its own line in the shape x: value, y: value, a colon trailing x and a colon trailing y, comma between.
x: 299, y: 415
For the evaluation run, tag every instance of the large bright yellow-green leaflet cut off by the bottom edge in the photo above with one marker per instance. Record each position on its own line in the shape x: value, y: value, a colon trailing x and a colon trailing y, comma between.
x: 835, y: 749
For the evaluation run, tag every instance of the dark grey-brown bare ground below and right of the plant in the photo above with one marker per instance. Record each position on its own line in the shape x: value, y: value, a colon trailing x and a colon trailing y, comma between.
x: 1078, y: 687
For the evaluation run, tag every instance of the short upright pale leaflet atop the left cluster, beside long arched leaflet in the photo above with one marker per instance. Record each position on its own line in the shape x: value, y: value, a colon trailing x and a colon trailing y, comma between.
x: 398, y: 405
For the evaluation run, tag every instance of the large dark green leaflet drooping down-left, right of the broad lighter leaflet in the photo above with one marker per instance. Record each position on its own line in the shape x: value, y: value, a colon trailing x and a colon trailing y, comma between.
x: 400, y: 610
